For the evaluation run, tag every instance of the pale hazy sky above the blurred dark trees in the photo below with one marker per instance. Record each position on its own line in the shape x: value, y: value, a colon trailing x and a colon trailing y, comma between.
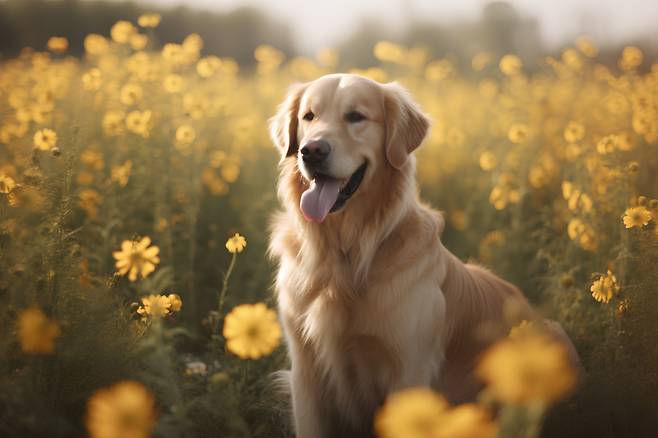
x: 318, y: 24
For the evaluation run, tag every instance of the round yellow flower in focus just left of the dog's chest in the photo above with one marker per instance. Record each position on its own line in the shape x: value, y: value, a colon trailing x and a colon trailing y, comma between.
x: 251, y: 331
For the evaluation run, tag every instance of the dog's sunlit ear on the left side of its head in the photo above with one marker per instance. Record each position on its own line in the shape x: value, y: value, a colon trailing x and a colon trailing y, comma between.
x: 283, y: 125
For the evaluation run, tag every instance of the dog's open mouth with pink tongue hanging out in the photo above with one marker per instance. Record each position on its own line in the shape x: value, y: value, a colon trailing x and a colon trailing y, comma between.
x: 327, y: 194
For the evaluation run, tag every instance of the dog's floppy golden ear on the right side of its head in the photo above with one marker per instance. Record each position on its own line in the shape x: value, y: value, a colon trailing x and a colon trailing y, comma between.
x: 406, y: 124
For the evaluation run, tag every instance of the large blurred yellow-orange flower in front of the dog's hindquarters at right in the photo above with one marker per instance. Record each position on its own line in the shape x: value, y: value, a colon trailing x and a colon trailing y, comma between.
x: 527, y: 369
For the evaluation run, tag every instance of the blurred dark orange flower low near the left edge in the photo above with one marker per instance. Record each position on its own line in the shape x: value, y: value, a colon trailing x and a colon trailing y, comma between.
x: 37, y: 333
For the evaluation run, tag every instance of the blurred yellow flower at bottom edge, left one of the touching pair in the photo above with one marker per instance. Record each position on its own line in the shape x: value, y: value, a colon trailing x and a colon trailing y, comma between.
x: 412, y: 413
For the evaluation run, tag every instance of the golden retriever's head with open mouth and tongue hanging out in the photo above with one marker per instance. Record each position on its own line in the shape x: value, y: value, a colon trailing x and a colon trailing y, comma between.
x: 342, y: 129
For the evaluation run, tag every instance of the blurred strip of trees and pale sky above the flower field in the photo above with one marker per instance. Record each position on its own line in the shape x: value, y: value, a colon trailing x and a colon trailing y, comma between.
x: 234, y: 28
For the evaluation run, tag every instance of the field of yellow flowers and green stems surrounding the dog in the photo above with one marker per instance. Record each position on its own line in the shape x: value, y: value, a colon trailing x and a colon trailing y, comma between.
x: 135, y: 190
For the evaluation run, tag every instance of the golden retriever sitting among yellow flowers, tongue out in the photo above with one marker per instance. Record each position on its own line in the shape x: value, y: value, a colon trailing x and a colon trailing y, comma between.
x: 370, y: 300
